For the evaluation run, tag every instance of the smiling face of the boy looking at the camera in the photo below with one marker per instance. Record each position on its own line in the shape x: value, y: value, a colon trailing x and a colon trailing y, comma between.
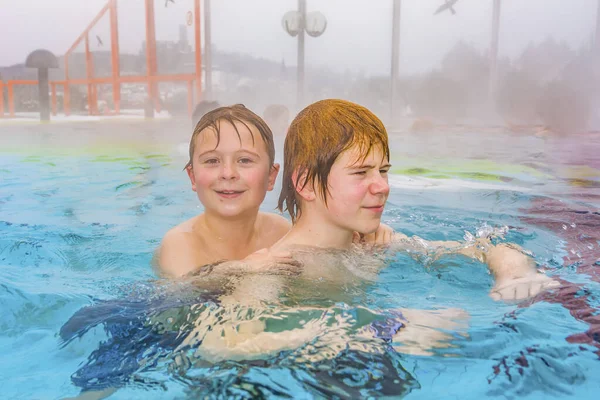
x: 231, y: 172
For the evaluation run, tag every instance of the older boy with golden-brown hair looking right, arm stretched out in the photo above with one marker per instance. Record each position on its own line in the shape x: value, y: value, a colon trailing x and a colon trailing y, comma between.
x: 336, y: 161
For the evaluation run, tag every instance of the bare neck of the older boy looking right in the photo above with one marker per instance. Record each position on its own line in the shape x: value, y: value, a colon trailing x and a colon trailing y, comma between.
x: 313, y: 230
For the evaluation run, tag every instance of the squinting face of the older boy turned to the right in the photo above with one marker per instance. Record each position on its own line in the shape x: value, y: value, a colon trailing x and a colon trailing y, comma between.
x: 357, y: 191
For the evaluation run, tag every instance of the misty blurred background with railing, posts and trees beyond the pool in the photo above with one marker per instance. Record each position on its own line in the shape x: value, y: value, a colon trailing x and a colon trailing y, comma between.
x: 519, y: 64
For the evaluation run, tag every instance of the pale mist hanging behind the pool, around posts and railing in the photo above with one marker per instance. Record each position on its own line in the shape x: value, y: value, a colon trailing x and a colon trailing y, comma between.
x: 546, y: 55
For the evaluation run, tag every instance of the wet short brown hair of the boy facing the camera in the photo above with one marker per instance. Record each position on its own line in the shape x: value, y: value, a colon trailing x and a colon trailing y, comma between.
x: 232, y: 114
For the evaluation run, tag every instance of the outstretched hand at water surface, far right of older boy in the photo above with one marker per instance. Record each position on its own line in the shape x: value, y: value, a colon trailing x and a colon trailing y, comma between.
x: 522, y: 288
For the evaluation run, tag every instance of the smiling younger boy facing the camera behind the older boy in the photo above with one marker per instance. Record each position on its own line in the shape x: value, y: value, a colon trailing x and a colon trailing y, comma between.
x: 231, y: 168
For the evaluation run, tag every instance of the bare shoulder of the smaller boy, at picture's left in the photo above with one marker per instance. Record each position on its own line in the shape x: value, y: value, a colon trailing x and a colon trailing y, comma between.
x: 180, y: 252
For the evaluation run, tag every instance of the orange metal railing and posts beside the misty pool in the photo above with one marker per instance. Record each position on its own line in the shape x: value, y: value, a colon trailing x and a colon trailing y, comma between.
x: 151, y: 79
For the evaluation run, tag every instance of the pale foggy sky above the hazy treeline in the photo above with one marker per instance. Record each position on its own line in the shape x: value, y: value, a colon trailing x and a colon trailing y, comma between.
x: 357, y: 36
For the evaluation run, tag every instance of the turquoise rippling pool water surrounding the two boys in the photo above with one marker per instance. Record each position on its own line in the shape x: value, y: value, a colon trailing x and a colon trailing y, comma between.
x: 79, y: 221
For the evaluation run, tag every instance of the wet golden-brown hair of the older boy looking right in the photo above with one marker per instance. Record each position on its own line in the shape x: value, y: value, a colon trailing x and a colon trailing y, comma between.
x: 317, y: 137
